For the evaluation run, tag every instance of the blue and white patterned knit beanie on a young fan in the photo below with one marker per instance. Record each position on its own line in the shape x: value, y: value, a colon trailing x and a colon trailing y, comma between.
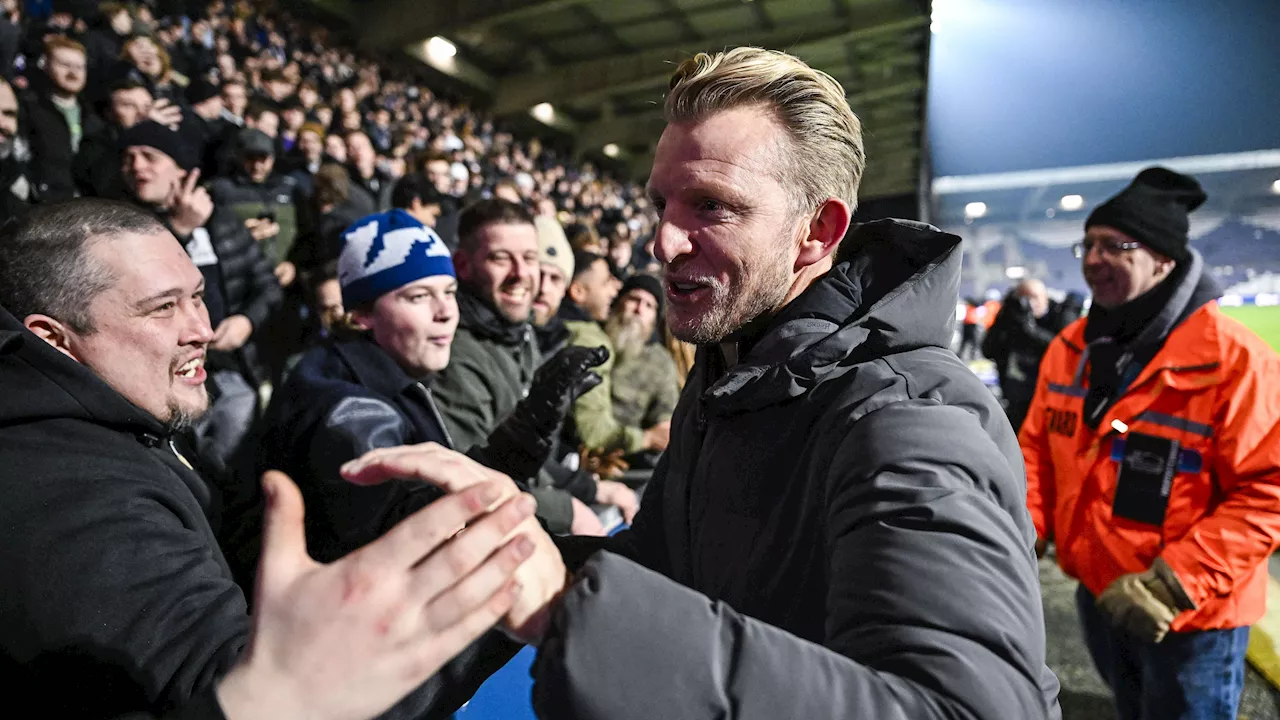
x: 387, y: 252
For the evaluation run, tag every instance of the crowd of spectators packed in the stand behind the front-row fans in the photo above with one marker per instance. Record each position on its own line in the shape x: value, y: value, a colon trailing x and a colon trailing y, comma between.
x: 259, y: 138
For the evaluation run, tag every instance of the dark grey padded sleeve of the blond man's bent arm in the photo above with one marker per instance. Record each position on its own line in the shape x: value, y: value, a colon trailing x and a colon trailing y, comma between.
x: 934, y: 605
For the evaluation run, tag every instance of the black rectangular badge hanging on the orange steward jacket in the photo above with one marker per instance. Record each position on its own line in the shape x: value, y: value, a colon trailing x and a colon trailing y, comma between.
x: 1145, y: 479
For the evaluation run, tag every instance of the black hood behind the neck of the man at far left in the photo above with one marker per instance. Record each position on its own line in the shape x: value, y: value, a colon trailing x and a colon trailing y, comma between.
x: 42, y: 384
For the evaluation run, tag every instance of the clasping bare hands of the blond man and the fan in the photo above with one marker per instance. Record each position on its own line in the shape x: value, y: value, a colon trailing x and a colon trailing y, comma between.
x: 351, y: 639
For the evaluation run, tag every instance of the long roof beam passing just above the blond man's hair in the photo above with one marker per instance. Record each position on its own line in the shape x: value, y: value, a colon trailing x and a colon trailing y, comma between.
x: 652, y: 69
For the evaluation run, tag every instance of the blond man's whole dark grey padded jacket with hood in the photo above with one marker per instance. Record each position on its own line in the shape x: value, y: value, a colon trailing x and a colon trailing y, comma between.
x: 838, y: 530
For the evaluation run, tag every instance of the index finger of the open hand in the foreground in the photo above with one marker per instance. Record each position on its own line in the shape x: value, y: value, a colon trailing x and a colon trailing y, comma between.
x: 423, y: 532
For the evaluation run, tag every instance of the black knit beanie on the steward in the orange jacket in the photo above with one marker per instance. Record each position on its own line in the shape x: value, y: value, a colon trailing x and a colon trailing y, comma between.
x: 1154, y: 211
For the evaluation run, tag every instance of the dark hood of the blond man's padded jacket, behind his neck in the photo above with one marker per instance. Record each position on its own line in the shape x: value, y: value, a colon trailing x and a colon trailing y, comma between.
x: 893, y: 289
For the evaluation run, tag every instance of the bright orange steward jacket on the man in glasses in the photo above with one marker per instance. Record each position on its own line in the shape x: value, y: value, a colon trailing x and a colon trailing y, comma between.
x: 1215, y: 389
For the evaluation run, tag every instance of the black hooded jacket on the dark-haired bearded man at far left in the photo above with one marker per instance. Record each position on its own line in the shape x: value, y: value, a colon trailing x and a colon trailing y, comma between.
x: 116, y: 596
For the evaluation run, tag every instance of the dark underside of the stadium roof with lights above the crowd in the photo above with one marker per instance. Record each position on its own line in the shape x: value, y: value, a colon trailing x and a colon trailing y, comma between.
x: 604, y: 65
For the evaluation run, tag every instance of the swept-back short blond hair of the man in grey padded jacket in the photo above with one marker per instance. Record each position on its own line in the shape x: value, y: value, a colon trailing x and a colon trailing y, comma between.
x: 825, y: 156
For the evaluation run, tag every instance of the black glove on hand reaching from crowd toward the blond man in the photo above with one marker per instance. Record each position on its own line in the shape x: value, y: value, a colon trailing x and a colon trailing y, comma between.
x: 522, y: 444
